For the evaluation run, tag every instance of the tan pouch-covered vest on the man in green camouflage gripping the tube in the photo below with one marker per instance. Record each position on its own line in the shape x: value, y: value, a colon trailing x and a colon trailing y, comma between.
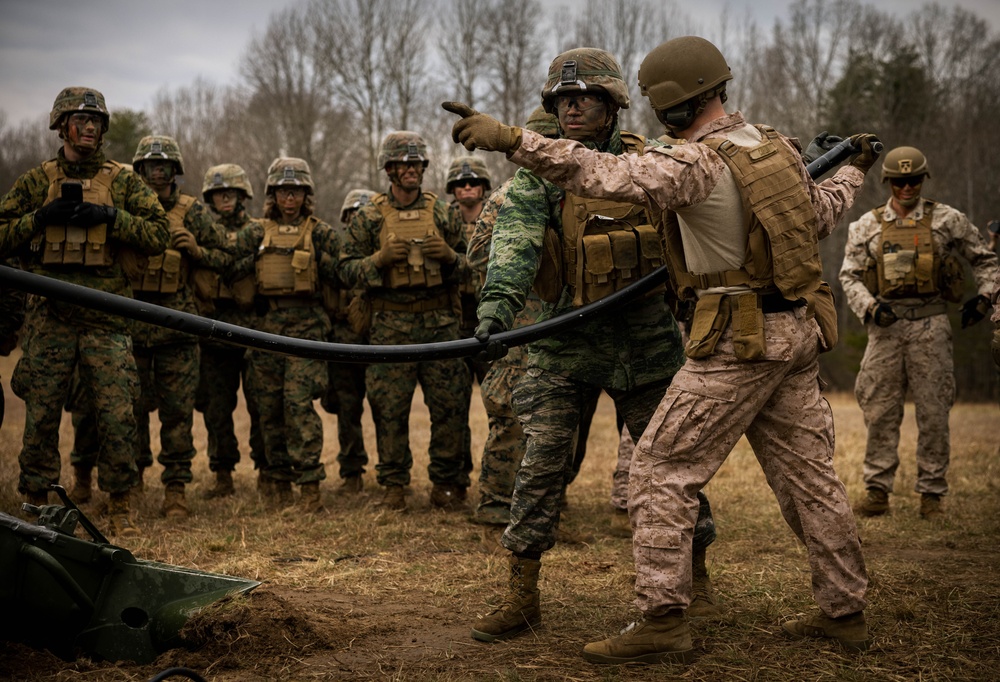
x: 605, y: 246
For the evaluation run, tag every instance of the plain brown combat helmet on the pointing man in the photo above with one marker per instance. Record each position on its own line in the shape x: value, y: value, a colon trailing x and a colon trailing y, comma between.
x: 679, y: 71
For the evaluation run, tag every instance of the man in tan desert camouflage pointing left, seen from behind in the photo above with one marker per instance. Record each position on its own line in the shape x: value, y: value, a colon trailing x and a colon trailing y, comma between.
x: 759, y: 374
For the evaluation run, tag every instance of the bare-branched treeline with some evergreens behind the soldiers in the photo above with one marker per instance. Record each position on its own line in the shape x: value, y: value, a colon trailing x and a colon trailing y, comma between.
x: 327, y: 79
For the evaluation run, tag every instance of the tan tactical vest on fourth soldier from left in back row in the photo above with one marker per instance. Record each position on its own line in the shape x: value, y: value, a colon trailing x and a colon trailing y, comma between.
x: 286, y: 260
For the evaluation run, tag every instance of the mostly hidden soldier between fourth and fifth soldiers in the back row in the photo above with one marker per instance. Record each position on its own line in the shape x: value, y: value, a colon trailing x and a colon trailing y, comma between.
x: 346, y: 394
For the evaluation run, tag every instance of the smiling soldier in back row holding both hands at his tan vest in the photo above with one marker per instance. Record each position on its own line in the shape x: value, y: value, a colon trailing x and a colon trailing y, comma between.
x: 412, y: 283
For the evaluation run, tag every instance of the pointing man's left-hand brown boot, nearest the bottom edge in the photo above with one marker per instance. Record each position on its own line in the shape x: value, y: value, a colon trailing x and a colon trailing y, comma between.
x: 661, y: 639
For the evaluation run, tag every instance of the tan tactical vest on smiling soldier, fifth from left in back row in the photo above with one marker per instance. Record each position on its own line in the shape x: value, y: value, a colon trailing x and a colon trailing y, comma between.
x: 410, y: 225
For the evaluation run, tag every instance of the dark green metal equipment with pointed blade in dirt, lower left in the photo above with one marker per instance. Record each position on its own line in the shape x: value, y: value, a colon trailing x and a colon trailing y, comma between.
x: 73, y: 596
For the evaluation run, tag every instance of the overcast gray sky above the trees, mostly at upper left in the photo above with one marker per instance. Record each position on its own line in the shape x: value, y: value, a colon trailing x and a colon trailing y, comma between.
x: 130, y: 49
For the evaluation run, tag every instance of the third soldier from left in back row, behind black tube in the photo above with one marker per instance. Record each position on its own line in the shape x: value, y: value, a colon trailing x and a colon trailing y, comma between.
x: 226, y: 190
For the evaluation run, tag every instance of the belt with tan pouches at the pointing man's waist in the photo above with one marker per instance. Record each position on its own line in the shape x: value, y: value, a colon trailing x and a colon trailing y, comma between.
x: 745, y: 311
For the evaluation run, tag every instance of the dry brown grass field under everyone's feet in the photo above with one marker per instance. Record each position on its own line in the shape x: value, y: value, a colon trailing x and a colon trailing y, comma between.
x: 357, y: 593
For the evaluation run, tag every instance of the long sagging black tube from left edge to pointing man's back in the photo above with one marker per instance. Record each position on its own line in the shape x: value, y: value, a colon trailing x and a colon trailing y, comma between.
x: 317, y: 350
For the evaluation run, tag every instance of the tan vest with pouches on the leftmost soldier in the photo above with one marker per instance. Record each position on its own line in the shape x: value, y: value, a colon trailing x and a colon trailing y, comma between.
x: 71, y: 245
